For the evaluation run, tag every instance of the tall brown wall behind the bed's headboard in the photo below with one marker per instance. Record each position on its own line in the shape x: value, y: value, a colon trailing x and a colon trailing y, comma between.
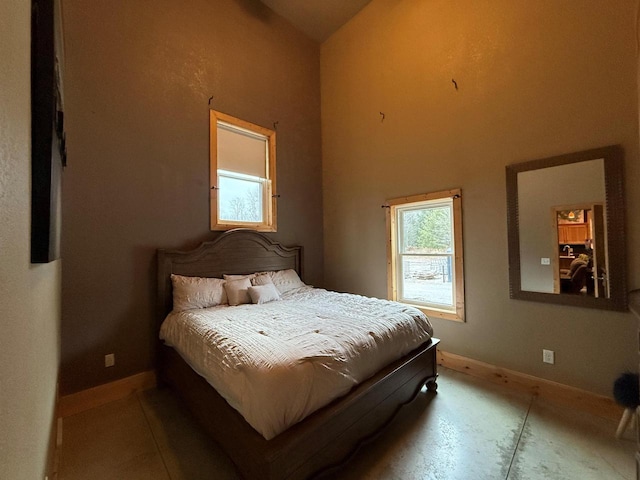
x: 138, y: 79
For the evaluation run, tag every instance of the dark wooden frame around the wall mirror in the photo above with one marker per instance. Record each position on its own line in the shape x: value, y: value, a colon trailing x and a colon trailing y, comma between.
x: 615, y: 212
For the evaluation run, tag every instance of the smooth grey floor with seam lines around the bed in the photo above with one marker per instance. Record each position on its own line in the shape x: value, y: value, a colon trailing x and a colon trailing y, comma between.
x: 469, y: 430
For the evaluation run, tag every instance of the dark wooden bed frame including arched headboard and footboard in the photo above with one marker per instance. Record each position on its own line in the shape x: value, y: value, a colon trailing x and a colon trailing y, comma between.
x: 324, y: 440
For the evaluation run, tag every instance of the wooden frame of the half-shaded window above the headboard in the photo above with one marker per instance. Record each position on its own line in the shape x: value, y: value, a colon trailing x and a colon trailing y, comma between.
x: 270, y: 221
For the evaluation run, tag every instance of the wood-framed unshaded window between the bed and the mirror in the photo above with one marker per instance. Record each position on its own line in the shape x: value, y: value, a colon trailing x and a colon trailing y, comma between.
x: 425, y: 253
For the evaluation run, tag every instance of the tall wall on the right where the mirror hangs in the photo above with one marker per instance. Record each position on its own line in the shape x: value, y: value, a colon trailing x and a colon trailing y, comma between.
x: 535, y: 79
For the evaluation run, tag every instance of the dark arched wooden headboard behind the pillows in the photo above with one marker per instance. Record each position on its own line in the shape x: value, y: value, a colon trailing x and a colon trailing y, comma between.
x: 234, y: 252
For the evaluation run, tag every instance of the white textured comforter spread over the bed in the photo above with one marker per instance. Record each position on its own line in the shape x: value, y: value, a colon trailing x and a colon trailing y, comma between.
x: 276, y: 363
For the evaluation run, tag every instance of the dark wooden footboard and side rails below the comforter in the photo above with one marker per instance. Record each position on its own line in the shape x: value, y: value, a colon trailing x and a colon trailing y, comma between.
x: 325, y: 439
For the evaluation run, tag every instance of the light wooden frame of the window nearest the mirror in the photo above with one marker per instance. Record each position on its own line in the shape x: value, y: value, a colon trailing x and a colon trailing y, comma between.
x: 458, y: 257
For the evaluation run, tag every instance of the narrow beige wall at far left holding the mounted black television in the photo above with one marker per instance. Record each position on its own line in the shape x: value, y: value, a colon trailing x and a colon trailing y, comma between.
x: 30, y: 305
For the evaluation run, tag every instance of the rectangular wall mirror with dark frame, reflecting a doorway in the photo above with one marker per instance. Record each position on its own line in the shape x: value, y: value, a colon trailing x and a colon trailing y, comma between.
x: 566, y: 229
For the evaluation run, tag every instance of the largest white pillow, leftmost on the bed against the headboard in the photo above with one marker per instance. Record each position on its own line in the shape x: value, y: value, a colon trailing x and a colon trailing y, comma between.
x: 197, y: 292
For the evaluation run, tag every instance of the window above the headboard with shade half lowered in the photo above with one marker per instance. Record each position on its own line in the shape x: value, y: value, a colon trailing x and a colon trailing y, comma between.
x: 243, y: 172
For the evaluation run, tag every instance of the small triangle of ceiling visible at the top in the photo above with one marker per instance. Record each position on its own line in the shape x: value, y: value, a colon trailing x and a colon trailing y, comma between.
x: 317, y: 18
